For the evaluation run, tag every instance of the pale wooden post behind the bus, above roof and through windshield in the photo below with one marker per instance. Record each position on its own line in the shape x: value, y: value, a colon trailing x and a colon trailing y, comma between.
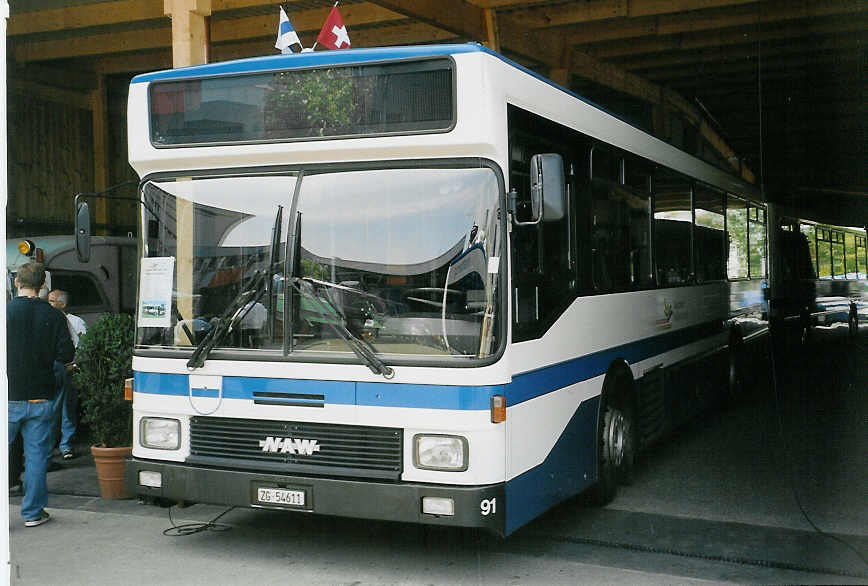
x: 189, y: 47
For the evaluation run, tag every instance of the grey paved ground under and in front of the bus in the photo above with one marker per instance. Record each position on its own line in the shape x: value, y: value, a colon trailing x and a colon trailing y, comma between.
x: 770, y: 490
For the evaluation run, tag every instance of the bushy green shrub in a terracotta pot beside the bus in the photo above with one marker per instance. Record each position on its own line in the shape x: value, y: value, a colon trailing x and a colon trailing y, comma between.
x: 104, y: 357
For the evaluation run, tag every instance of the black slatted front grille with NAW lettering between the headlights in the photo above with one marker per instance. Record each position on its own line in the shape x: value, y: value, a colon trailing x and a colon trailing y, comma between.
x: 297, y: 448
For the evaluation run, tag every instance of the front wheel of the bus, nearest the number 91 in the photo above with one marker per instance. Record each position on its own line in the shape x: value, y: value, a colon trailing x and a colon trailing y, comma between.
x: 616, y: 453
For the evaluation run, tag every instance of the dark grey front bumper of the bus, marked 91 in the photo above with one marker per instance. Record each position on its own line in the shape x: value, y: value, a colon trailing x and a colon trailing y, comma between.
x: 474, y: 506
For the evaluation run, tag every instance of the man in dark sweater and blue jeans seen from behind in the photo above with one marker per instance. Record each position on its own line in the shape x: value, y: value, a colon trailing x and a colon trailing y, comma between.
x: 36, y: 337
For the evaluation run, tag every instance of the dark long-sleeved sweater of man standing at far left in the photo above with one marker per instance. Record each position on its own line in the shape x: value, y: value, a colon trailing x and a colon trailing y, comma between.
x: 36, y: 336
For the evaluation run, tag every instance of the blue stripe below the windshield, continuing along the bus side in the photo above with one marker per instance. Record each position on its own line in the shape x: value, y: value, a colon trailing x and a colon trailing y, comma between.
x: 523, y: 387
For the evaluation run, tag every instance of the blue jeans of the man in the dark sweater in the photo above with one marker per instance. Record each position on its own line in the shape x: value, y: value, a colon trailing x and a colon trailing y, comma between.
x: 34, y: 421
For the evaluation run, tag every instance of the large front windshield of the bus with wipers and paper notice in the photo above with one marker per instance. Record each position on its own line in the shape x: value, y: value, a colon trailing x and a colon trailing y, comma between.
x: 404, y: 260
